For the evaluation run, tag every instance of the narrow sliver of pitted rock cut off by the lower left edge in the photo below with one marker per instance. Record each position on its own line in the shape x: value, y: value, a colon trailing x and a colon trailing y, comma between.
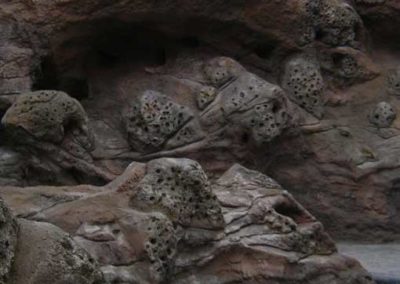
x: 8, y: 241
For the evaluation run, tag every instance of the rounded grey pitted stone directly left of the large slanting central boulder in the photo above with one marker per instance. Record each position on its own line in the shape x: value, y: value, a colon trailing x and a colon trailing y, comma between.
x: 152, y: 120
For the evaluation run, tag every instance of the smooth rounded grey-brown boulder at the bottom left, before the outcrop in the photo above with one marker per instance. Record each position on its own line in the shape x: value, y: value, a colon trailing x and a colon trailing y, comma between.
x: 47, y: 255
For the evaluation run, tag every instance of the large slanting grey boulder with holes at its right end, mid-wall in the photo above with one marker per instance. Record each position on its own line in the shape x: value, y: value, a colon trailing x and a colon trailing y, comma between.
x: 247, y: 102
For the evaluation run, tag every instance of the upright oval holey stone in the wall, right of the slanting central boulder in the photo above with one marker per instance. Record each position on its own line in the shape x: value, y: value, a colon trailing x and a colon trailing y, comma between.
x: 303, y: 82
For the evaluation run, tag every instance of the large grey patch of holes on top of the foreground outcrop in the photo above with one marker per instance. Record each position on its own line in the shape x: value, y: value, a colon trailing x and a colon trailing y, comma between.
x: 181, y: 192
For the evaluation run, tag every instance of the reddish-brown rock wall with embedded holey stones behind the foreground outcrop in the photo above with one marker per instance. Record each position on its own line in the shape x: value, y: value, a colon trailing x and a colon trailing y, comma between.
x: 290, y: 88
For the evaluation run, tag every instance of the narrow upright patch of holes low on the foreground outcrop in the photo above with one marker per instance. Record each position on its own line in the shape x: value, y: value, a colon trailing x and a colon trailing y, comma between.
x: 161, y: 246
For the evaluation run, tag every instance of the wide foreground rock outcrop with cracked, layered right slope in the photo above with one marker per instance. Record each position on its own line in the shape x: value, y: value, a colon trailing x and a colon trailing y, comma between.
x: 165, y: 222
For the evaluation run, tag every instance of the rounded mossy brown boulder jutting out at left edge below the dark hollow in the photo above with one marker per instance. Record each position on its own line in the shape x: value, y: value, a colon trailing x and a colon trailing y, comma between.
x: 49, y: 116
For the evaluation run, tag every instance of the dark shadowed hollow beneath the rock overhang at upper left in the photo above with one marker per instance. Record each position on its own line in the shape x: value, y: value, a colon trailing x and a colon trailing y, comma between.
x: 82, y: 52
